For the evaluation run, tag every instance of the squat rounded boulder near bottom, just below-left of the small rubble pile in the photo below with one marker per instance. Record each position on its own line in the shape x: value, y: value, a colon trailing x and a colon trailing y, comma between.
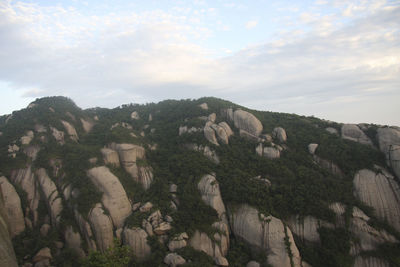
x: 136, y: 238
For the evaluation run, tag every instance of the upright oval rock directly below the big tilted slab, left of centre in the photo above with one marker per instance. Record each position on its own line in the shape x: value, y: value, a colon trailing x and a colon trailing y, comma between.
x: 102, y: 227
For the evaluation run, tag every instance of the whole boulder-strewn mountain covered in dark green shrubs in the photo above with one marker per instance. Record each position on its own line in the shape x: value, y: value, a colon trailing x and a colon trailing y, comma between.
x: 195, y: 183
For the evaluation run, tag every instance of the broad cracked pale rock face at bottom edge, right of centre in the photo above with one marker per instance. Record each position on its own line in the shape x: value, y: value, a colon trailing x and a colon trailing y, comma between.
x: 264, y: 233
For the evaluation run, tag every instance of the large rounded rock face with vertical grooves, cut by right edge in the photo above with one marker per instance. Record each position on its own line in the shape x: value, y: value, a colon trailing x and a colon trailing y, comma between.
x: 381, y: 192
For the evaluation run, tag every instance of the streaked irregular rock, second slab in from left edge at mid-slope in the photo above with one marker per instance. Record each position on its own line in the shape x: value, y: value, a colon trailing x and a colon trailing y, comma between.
x: 26, y: 180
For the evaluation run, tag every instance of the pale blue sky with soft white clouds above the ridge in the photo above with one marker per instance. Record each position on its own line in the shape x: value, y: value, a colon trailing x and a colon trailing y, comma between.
x: 337, y: 60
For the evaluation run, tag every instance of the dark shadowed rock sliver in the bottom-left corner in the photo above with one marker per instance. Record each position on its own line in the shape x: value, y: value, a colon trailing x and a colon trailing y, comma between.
x: 7, y: 255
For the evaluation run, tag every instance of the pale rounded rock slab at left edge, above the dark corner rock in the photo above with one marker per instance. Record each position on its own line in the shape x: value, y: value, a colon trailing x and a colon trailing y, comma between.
x: 13, y: 208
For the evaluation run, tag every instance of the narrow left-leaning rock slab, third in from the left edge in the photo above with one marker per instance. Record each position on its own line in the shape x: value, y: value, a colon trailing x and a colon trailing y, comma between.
x: 53, y: 201
